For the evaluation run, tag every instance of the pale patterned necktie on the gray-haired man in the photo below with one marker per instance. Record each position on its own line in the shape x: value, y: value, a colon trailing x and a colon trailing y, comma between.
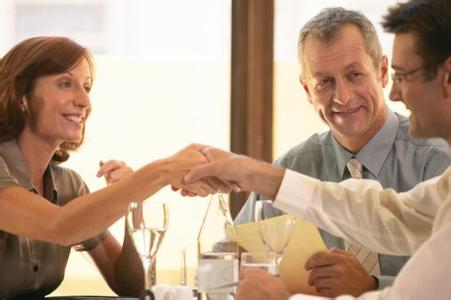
x: 367, y: 258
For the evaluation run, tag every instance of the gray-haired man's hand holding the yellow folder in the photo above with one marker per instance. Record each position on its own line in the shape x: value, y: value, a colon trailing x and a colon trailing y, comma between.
x: 337, y: 272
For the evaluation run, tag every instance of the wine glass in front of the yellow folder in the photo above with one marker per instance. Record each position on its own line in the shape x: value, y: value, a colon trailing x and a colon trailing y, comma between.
x: 274, y: 232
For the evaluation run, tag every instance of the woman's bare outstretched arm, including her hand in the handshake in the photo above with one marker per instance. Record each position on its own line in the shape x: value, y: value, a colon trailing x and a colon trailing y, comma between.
x: 27, y: 214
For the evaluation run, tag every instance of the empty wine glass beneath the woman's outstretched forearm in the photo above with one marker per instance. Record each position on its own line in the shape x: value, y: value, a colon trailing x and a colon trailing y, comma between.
x: 147, y: 223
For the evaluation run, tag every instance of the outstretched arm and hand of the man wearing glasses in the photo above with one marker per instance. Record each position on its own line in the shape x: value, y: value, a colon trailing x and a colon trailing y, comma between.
x: 358, y: 210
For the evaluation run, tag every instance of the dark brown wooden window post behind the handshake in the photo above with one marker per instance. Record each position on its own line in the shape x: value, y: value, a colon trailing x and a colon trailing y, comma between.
x: 252, y: 82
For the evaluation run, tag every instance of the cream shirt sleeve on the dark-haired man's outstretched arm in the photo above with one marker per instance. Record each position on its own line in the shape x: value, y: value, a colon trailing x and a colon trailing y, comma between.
x: 362, y: 212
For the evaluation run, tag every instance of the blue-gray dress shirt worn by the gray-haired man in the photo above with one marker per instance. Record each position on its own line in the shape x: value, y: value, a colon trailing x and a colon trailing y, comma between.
x: 390, y: 157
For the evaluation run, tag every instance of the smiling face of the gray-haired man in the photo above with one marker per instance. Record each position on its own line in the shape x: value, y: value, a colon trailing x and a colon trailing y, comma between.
x: 344, y: 87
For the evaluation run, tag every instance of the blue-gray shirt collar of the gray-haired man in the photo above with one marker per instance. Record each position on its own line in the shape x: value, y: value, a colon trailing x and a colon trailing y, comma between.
x: 374, y: 153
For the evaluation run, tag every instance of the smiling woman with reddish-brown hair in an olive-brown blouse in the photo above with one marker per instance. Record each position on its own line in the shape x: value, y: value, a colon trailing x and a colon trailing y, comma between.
x: 44, y: 208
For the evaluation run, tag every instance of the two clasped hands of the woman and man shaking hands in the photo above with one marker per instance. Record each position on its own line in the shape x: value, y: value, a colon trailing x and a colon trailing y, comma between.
x: 200, y: 170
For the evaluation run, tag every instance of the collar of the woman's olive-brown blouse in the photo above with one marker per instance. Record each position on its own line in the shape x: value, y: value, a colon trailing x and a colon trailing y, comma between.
x: 13, y: 158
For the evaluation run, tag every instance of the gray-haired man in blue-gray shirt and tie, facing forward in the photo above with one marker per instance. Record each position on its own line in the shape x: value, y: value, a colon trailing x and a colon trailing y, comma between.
x: 343, y: 74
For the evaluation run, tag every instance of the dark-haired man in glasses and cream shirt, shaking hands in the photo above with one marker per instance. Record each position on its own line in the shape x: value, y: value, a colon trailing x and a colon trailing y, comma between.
x: 362, y: 211
